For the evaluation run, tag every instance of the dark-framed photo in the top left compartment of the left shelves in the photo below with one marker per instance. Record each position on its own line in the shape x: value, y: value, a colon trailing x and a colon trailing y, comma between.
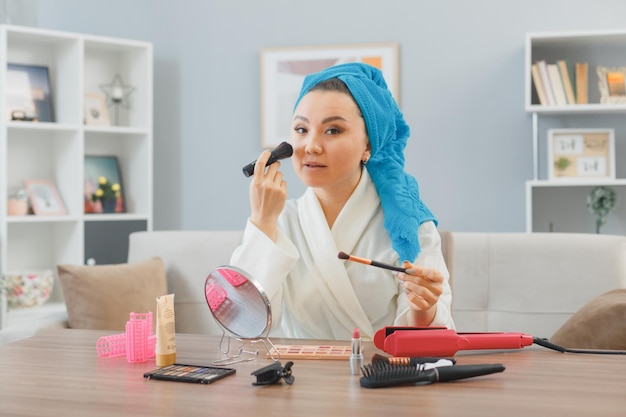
x: 28, y: 95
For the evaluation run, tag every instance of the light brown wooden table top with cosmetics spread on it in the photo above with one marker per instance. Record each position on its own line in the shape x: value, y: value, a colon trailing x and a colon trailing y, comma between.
x: 59, y: 370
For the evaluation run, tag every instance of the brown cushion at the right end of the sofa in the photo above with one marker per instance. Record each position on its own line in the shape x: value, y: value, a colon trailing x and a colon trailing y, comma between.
x: 599, y: 324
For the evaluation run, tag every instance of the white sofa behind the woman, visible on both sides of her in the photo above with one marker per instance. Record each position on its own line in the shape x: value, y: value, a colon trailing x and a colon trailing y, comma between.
x: 523, y: 282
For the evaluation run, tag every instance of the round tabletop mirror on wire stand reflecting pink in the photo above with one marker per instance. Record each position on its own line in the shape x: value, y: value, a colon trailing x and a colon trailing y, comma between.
x: 241, y: 308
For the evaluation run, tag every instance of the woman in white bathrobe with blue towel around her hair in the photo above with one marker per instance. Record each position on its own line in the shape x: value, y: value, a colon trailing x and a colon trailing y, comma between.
x: 348, y: 136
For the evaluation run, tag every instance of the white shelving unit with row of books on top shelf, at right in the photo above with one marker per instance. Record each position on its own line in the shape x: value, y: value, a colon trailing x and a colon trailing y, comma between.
x: 548, y: 200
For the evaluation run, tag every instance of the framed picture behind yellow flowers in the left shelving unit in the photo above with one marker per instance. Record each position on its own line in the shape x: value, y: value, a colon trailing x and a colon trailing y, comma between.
x: 103, y: 173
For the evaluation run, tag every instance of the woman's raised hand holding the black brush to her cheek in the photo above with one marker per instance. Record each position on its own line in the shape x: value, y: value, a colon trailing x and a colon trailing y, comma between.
x: 268, y: 194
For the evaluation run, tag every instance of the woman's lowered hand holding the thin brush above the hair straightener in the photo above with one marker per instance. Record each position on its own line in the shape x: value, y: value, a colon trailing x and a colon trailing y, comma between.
x: 423, y: 287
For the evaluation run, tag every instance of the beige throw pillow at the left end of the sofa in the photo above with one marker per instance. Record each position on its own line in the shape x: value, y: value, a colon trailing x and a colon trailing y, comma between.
x: 103, y: 296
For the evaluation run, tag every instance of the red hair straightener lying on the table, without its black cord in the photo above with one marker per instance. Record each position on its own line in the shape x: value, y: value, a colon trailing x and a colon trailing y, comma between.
x: 441, y: 341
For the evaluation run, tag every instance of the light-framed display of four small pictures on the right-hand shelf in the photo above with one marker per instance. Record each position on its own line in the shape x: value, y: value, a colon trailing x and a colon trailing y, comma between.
x: 581, y: 154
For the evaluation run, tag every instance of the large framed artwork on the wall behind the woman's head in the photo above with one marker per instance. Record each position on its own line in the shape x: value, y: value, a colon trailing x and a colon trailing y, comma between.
x: 284, y: 69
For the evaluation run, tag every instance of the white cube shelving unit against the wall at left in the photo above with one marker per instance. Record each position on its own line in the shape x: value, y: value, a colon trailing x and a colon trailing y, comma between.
x: 77, y: 64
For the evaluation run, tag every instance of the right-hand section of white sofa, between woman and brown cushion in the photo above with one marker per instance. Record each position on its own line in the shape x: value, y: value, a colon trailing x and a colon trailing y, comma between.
x: 531, y: 282
